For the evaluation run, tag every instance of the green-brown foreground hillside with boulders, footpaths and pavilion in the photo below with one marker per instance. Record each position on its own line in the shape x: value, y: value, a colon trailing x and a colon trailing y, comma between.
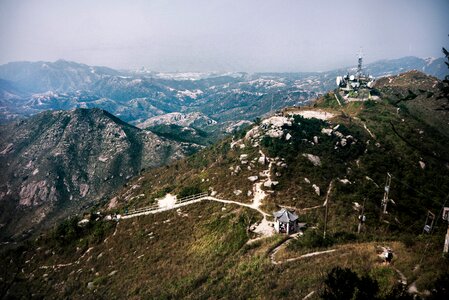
x: 202, y: 251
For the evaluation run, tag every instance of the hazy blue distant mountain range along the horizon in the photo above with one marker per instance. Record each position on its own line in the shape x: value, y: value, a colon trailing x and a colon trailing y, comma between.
x: 27, y: 88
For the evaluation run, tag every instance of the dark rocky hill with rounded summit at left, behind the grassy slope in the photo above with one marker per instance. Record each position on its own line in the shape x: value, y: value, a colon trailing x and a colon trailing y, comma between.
x: 71, y: 159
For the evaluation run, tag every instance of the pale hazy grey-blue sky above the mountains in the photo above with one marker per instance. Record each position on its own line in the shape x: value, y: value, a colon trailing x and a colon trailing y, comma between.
x: 212, y: 35
